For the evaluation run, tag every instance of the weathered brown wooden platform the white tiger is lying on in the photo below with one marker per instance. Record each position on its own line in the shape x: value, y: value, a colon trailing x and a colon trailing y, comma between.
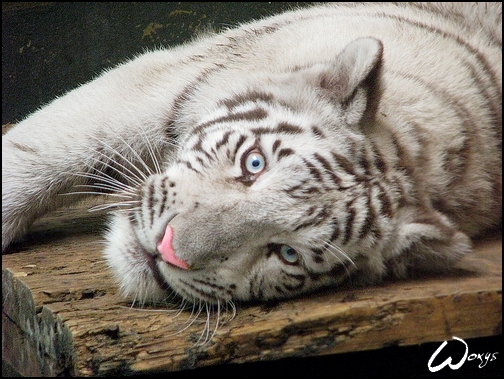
x: 61, y: 263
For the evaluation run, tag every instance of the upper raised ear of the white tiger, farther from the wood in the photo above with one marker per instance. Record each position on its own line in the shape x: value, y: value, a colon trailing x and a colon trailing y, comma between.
x: 352, y: 79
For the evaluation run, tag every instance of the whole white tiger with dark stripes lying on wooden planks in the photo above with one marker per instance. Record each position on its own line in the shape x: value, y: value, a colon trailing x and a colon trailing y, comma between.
x: 333, y: 143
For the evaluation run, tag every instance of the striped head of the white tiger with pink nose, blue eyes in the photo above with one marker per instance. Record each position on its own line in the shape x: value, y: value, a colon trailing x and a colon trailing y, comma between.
x: 263, y: 198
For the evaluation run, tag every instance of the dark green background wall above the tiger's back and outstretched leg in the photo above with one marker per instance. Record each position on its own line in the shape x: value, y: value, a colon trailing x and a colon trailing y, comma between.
x: 49, y: 48
